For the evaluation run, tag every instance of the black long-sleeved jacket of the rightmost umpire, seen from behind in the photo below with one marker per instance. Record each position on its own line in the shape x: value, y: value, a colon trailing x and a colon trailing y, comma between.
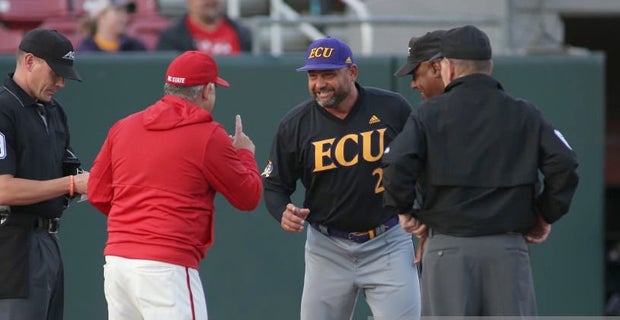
x: 480, y: 150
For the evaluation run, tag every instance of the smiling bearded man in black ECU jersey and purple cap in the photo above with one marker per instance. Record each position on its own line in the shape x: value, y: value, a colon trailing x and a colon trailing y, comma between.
x: 334, y: 143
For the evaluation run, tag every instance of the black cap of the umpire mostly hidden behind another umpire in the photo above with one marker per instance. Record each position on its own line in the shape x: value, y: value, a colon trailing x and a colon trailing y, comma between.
x: 421, y: 49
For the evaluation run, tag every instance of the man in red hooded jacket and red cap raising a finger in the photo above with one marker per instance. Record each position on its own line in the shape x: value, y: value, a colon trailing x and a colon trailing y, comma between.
x: 155, y: 178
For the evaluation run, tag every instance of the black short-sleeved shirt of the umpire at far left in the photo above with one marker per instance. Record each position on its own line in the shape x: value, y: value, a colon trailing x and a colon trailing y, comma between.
x: 31, y: 147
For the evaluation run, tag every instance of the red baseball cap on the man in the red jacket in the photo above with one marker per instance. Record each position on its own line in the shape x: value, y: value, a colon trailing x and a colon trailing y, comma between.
x: 193, y: 68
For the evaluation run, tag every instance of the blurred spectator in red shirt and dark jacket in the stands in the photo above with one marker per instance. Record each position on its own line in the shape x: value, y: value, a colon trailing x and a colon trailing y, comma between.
x: 206, y: 28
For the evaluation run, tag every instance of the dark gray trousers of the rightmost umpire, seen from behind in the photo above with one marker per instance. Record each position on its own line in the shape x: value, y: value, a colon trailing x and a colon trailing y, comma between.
x: 477, y: 276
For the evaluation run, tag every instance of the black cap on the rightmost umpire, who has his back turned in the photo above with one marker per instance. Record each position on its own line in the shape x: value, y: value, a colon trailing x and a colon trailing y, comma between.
x: 466, y: 43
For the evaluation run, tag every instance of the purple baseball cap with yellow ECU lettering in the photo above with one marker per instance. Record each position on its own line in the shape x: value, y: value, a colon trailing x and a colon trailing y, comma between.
x: 327, y: 54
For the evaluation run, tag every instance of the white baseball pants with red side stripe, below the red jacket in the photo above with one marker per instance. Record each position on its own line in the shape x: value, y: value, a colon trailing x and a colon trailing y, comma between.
x: 146, y: 289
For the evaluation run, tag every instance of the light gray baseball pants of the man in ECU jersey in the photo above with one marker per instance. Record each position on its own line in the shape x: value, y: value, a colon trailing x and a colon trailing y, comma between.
x: 337, y: 269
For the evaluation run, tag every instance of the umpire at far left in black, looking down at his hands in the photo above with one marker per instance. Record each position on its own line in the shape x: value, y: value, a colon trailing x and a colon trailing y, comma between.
x: 38, y: 173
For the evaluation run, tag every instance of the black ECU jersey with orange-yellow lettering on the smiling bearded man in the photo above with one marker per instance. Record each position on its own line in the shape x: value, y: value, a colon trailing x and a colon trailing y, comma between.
x: 337, y: 160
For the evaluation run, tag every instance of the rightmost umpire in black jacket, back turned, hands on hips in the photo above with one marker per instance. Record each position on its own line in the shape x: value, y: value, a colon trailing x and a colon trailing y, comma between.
x: 481, y: 151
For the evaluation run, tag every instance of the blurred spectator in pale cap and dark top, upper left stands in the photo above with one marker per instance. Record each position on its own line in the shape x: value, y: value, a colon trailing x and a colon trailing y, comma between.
x: 106, y: 26
